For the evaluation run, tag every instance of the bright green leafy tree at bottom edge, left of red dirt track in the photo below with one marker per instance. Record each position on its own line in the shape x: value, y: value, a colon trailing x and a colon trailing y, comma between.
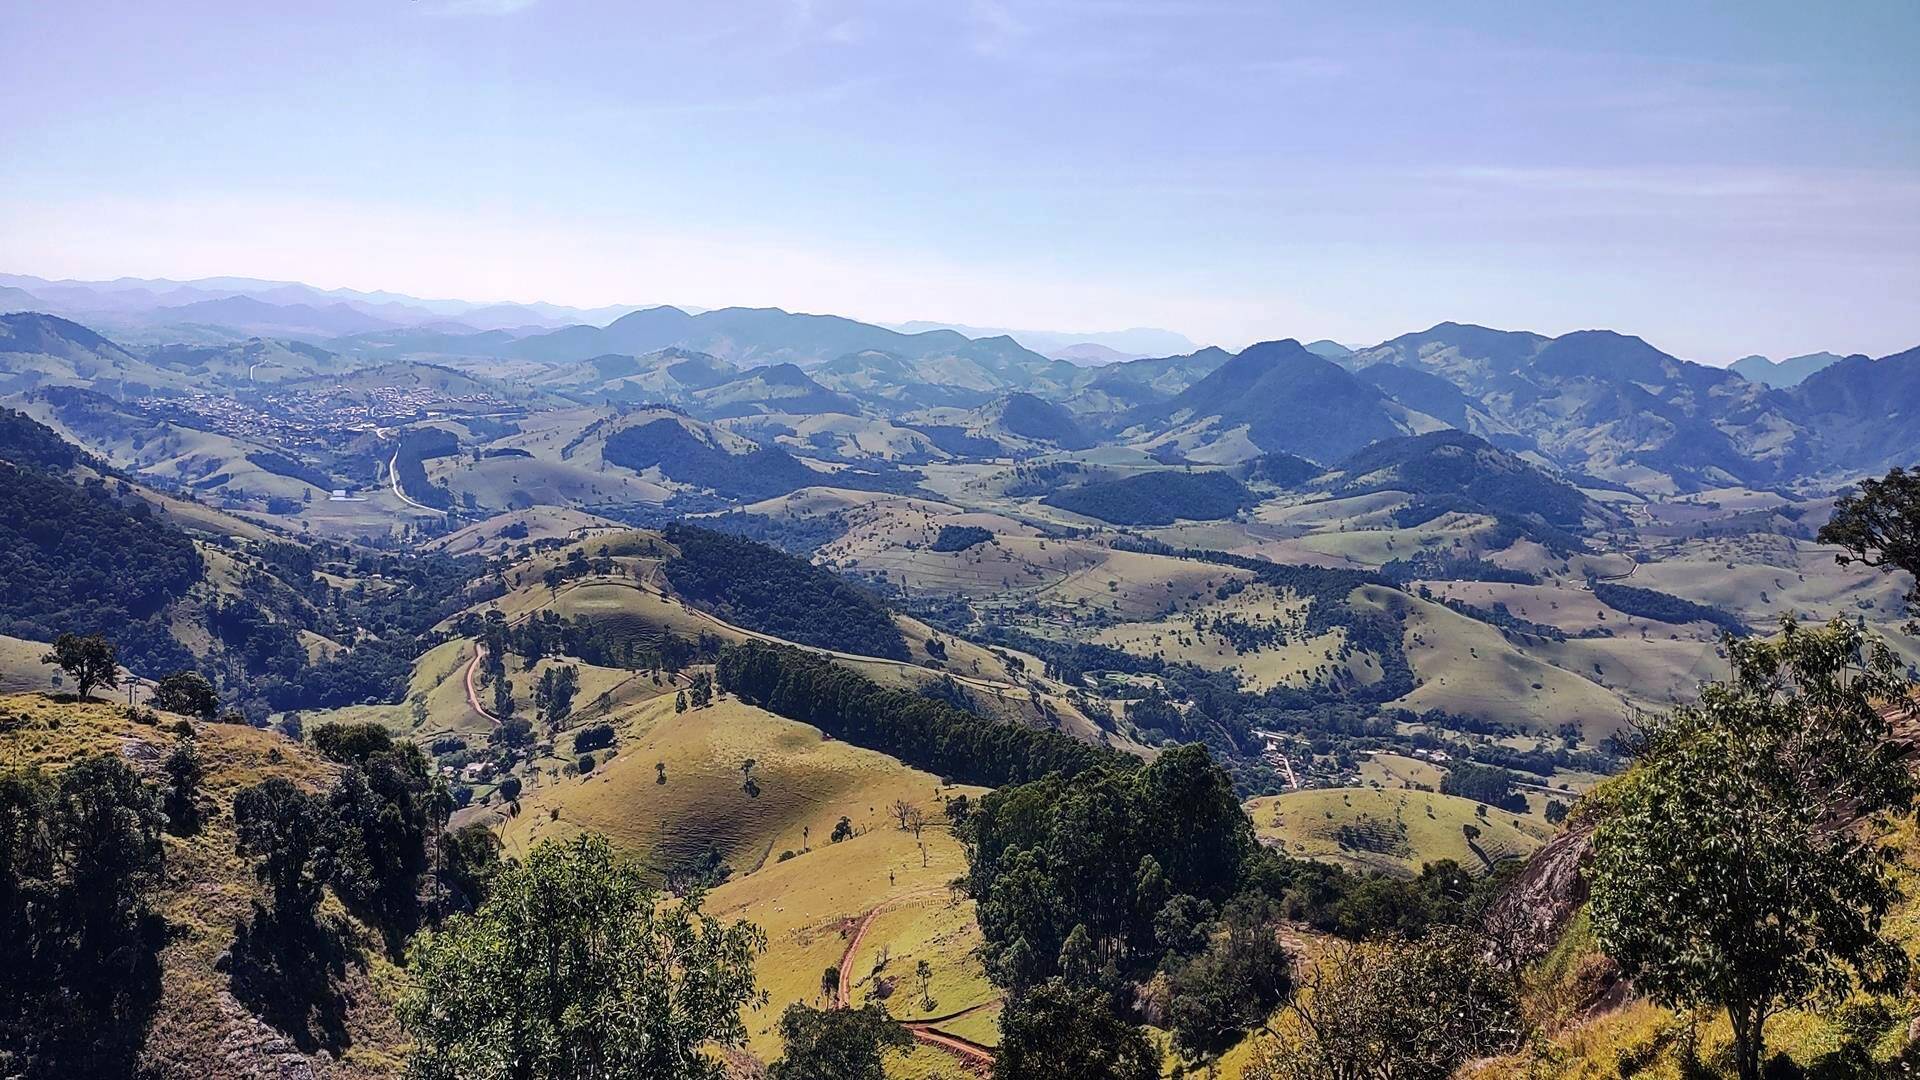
x: 575, y: 970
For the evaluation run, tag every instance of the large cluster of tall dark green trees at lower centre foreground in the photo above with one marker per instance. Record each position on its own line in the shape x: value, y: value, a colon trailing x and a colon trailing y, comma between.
x: 1099, y: 883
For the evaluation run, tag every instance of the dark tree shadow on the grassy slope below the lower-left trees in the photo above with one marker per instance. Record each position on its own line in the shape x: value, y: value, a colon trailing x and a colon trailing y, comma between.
x: 291, y: 973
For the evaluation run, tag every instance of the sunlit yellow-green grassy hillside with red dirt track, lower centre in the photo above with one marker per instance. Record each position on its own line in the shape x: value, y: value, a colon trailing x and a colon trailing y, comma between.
x: 807, y: 904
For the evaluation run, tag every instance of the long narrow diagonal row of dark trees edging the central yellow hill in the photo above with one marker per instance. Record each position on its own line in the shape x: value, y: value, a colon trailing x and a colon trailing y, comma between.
x: 919, y: 731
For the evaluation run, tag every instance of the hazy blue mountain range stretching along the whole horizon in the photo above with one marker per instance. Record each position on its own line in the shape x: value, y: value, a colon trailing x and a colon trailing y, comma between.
x: 1595, y: 403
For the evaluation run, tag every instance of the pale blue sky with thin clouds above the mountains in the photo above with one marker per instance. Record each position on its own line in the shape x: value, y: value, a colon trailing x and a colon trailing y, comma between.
x: 1719, y: 180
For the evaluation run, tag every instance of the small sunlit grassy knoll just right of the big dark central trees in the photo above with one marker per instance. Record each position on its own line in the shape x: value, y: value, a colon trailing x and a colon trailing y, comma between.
x: 1391, y: 831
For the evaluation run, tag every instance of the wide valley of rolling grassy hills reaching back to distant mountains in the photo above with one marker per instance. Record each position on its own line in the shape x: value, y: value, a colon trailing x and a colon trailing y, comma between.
x: 590, y: 587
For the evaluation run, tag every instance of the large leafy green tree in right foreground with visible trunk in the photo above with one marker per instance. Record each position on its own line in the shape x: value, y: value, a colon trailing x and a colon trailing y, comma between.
x: 1740, y: 864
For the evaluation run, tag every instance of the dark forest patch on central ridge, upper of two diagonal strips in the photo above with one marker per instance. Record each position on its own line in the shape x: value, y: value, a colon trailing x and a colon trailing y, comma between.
x: 779, y: 595
